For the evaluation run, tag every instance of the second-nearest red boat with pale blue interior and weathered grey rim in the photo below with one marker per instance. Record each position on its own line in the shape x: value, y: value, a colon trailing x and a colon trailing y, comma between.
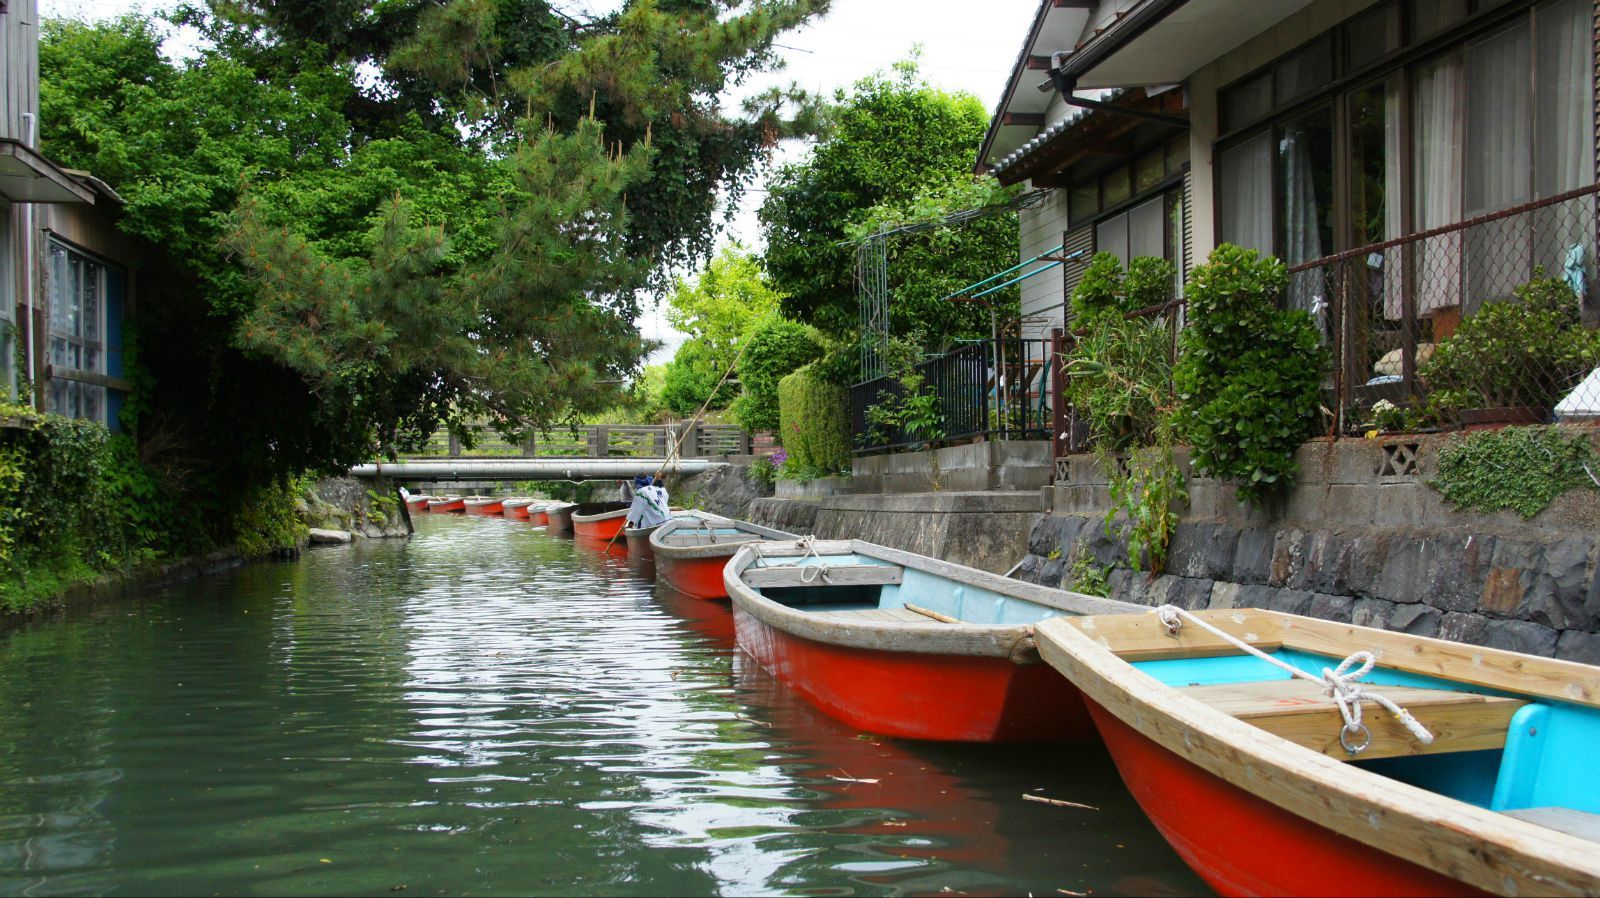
x: 905, y: 646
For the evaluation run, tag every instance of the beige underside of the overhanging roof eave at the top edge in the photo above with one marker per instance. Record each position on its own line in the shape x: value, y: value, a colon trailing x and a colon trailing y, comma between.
x: 1167, y: 41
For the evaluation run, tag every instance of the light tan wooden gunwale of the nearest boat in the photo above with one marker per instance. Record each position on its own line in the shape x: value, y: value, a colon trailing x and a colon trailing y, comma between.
x: 1474, y: 846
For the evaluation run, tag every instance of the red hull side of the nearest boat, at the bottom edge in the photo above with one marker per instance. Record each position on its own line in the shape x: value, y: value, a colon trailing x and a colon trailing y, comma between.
x: 1246, y: 846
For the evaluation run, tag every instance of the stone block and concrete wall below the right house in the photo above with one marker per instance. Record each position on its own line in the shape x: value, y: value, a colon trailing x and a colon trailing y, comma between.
x: 1361, y: 540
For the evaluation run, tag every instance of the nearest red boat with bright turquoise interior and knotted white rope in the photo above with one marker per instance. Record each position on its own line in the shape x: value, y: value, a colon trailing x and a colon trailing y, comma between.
x: 1263, y: 788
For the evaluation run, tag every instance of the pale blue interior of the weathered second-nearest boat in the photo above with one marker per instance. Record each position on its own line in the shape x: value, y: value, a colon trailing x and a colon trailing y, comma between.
x: 962, y: 601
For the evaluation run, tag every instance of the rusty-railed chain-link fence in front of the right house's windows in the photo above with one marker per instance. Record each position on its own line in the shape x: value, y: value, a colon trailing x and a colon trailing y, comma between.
x: 1487, y: 321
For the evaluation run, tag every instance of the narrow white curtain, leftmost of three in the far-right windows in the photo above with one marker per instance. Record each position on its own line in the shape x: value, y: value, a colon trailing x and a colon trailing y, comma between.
x: 1438, y: 183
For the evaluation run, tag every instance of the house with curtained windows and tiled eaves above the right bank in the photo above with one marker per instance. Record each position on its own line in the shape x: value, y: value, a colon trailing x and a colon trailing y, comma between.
x: 1407, y: 159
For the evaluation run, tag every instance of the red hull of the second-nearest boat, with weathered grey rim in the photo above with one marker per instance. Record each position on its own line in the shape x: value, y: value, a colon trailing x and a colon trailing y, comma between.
x: 921, y: 696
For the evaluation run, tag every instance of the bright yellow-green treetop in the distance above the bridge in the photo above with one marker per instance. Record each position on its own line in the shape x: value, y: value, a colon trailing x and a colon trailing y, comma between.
x: 724, y: 303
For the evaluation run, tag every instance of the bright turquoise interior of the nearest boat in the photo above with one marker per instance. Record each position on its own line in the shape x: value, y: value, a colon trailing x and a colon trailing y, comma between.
x: 1548, y: 761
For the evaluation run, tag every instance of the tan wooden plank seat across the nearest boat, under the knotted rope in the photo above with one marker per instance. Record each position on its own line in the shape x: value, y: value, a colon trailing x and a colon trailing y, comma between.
x: 1298, y: 712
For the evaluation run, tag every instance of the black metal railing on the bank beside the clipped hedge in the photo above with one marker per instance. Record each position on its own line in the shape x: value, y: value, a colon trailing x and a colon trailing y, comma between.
x: 993, y: 390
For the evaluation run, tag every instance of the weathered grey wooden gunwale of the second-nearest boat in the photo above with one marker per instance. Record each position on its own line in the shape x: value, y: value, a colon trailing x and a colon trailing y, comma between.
x: 934, y: 638
